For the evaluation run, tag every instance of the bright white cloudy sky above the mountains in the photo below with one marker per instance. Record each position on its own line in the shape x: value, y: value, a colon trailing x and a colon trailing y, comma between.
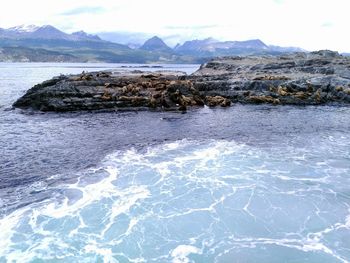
x: 309, y: 24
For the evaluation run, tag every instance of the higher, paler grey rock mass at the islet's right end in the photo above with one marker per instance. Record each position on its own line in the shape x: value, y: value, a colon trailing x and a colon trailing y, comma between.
x: 300, y: 78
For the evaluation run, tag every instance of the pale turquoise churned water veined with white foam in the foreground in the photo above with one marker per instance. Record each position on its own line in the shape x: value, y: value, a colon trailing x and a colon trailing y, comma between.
x: 188, y: 201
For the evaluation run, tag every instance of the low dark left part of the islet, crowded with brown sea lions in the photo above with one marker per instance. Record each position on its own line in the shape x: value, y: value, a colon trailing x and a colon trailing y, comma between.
x: 103, y: 91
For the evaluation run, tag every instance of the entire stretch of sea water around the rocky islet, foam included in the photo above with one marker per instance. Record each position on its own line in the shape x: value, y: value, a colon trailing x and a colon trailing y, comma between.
x: 243, y: 184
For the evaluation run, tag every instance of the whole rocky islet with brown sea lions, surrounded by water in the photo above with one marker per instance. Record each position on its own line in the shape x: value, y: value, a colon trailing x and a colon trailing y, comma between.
x: 301, y: 79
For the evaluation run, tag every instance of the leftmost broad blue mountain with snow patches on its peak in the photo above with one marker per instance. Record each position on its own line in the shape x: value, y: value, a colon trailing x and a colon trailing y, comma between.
x: 47, y: 43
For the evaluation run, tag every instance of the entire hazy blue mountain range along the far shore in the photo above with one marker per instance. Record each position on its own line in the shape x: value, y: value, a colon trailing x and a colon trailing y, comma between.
x: 50, y: 44
